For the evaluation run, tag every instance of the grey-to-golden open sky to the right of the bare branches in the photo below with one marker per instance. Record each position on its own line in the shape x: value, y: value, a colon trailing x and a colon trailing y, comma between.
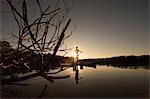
x: 106, y: 28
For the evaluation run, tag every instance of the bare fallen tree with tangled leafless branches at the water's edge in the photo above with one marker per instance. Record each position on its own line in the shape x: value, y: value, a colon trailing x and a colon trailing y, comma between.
x: 33, y: 36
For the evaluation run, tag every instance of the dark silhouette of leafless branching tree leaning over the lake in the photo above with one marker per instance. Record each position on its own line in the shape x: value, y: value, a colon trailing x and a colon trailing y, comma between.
x: 44, y: 33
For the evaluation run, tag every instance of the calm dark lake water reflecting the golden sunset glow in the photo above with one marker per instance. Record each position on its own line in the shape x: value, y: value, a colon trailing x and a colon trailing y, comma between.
x: 88, y: 82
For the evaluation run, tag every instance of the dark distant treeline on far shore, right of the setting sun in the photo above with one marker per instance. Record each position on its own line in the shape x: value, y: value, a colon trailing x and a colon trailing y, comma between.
x: 142, y: 60
